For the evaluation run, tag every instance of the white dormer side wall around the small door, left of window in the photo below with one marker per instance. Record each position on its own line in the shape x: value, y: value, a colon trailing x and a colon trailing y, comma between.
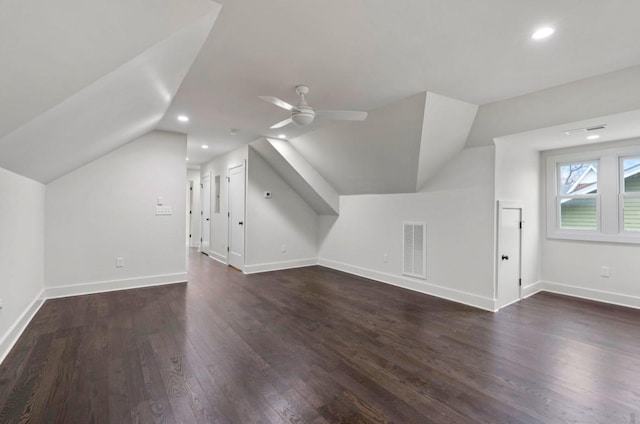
x: 518, y: 179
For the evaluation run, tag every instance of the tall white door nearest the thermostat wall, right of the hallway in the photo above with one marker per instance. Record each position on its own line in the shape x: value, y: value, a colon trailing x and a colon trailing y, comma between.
x: 236, y: 217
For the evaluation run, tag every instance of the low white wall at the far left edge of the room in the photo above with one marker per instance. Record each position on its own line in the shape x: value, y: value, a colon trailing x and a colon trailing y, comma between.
x: 21, y: 253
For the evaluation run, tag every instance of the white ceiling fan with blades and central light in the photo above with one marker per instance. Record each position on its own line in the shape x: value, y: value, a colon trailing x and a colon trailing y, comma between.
x: 303, y: 114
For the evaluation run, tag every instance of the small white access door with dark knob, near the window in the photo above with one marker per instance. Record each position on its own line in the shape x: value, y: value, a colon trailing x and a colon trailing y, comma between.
x: 509, y: 257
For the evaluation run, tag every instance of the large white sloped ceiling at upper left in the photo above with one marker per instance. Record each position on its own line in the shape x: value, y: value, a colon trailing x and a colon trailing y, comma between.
x: 82, y: 79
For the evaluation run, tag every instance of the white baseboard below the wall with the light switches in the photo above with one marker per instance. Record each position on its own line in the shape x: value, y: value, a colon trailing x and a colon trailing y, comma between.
x: 114, y: 285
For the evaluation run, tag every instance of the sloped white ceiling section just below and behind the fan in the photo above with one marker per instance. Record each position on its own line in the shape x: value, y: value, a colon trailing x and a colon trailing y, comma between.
x: 379, y: 155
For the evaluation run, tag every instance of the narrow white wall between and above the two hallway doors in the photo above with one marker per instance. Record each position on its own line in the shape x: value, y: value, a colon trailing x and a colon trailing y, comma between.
x: 219, y: 230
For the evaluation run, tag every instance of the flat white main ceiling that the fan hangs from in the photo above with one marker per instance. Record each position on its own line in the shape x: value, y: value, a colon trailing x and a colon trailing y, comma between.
x: 358, y: 54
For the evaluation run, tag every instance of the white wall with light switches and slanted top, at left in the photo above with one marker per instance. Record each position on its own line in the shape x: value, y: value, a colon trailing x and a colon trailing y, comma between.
x: 106, y: 209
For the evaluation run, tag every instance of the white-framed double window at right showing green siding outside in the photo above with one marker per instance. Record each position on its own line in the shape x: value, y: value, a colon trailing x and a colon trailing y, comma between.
x: 594, y: 194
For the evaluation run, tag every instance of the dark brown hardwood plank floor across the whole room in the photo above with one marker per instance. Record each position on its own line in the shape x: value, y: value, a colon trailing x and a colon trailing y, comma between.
x: 313, y: 345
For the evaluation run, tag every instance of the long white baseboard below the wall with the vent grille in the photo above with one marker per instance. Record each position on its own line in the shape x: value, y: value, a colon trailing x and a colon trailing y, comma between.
x: 458, y: 296
